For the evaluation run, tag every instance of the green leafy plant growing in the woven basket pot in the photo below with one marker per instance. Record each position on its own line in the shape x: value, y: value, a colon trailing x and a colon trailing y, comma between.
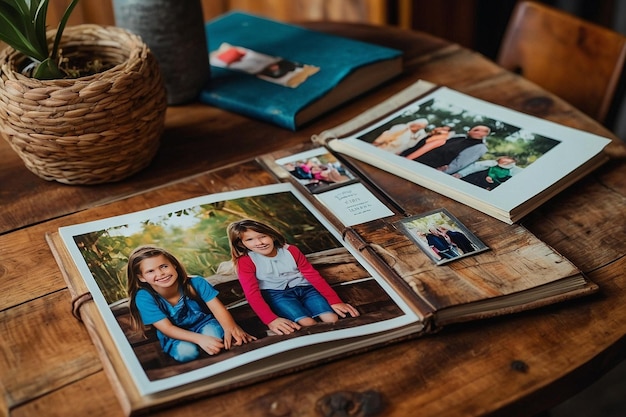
x: 23, y: 27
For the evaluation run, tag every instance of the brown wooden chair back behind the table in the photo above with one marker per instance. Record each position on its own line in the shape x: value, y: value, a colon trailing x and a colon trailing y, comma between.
x: 577, y: 60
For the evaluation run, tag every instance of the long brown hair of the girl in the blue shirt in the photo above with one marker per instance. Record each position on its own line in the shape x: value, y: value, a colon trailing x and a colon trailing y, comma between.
x: 133, y: 271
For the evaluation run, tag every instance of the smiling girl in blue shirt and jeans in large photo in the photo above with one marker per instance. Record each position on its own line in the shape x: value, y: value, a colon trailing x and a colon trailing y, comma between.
x: 185, y: 311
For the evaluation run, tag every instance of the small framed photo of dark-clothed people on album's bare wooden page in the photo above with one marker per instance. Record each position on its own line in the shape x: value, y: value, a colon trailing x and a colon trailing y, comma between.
x: 441, y: 236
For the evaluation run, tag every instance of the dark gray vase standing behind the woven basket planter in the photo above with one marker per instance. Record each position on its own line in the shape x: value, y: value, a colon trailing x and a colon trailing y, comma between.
x: 174, y: 32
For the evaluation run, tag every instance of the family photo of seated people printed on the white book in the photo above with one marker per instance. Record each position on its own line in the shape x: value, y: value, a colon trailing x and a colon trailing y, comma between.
x: 472, y: 147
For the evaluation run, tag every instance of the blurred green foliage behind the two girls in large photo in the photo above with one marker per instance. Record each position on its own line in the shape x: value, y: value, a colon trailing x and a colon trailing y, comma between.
x: 197, y: 236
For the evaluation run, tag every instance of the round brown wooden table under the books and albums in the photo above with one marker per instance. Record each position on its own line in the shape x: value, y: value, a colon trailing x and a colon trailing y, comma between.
x: 49, y: 366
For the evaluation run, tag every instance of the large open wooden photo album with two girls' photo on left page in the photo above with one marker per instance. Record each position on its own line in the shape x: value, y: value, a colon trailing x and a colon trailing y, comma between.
x: 370, y: 246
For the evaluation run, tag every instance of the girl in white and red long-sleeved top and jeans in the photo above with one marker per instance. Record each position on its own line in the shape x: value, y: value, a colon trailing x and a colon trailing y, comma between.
x: 280, y: 284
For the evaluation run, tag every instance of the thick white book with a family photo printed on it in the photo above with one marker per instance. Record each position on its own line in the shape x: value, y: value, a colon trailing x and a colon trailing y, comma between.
x: 500, y: 161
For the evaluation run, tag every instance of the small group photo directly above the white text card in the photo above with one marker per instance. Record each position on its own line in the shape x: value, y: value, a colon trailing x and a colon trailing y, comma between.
x: 318, y: 170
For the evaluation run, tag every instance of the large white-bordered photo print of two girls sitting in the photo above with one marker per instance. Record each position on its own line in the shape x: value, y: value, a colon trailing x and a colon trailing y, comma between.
x: 242, y: 276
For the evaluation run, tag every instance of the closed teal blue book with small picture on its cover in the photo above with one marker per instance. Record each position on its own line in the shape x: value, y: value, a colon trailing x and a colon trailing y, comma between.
x: 288, y: 75
